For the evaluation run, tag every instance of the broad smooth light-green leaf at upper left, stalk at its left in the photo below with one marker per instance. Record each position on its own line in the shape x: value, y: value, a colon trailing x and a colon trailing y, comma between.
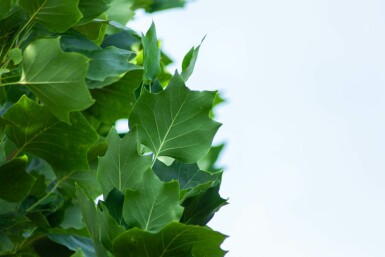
x: 57, y: 78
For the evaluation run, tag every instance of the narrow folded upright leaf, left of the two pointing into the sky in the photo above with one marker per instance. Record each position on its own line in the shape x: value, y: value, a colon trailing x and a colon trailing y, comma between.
x: 151, y: 54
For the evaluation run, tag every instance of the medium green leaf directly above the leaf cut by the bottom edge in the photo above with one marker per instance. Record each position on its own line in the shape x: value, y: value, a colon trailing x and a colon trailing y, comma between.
x: 153, y: 204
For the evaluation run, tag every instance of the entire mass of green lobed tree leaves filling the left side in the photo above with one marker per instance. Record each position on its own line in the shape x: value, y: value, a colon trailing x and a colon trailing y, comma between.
x: 68, y: 71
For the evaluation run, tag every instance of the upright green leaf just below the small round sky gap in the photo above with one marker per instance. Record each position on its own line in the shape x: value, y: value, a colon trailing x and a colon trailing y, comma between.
x: 122, y: 167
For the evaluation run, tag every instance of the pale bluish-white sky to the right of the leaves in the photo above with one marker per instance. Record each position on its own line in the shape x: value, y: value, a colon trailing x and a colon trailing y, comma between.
x: 304, y: 120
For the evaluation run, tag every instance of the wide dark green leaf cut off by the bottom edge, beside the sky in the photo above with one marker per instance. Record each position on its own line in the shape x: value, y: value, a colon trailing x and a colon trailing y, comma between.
x: 175, y: 240
